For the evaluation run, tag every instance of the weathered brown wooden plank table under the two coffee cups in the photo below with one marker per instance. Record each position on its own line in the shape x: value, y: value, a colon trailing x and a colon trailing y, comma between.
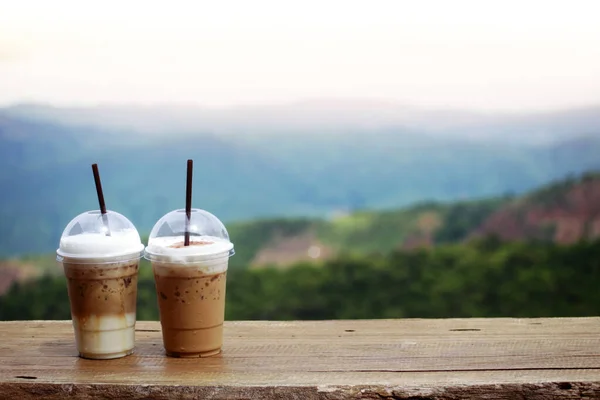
x: 363, y: 359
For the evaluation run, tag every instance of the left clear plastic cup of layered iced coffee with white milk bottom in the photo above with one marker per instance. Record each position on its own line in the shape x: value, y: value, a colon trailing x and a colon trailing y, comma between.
x: 102, y: 272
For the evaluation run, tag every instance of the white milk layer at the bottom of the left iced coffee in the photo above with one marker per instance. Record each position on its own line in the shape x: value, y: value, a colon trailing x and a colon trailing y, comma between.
x: 106, y: 336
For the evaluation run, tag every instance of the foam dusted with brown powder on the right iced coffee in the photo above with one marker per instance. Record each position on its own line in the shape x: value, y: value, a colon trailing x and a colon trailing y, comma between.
x: 202, y: 248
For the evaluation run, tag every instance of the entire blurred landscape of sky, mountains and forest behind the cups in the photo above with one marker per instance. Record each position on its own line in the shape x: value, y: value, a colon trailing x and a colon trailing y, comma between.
x: 377, y: 159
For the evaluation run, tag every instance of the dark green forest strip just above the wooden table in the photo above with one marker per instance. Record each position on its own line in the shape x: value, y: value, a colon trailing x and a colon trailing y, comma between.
x: 482, y: 278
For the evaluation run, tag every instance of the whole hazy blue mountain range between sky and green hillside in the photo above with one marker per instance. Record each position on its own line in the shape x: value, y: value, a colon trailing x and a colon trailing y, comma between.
x: 244, y: 172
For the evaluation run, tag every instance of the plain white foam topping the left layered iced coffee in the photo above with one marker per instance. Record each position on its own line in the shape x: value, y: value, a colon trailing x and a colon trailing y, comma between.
x: 98, y: 245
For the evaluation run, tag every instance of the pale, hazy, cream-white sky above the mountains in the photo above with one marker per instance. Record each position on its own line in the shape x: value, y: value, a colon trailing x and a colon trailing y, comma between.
x: 476, y: 54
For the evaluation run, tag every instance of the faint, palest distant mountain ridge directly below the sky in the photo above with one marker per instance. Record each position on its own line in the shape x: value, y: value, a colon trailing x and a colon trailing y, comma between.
x: 325, y: 115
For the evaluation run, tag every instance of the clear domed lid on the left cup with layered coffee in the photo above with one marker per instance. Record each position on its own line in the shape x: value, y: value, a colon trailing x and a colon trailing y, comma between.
x: 92, y: 235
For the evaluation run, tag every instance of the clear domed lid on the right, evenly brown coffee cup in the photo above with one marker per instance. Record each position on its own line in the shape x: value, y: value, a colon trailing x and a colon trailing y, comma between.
x: 208, y: 238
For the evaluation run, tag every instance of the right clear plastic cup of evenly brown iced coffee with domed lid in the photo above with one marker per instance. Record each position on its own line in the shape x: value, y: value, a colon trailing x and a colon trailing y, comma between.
x: 190, y: 281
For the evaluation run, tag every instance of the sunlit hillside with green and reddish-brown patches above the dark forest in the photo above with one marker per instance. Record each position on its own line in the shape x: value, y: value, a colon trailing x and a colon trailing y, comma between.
x: 563, y: 212
